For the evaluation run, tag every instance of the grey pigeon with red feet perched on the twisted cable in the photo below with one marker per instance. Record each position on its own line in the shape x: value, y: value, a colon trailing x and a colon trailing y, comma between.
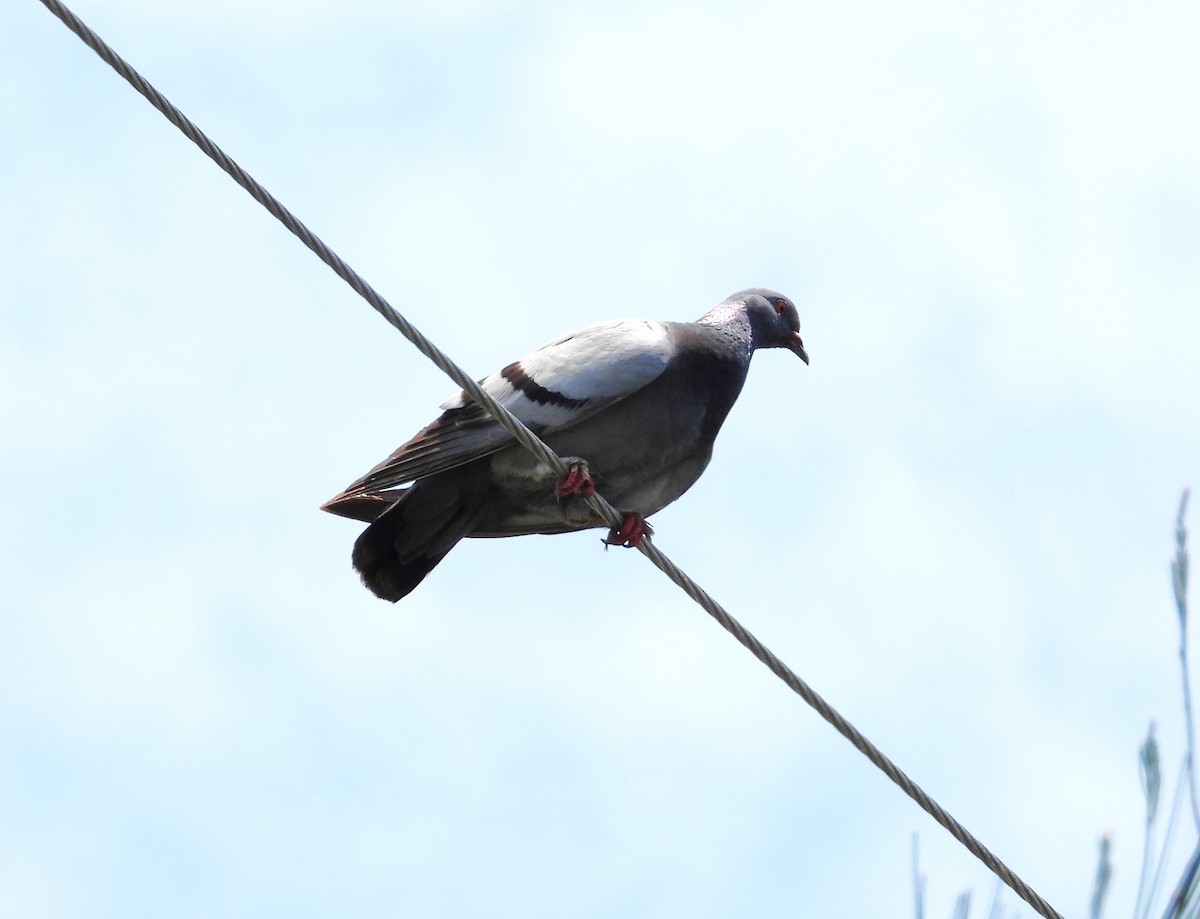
x: 633, y: 406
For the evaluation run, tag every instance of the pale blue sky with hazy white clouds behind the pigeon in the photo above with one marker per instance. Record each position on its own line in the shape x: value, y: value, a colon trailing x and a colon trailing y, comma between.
x: 956, y: 524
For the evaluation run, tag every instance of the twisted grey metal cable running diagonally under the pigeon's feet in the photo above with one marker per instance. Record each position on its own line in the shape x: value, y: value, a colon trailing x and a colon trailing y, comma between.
x: 548, y: 457
